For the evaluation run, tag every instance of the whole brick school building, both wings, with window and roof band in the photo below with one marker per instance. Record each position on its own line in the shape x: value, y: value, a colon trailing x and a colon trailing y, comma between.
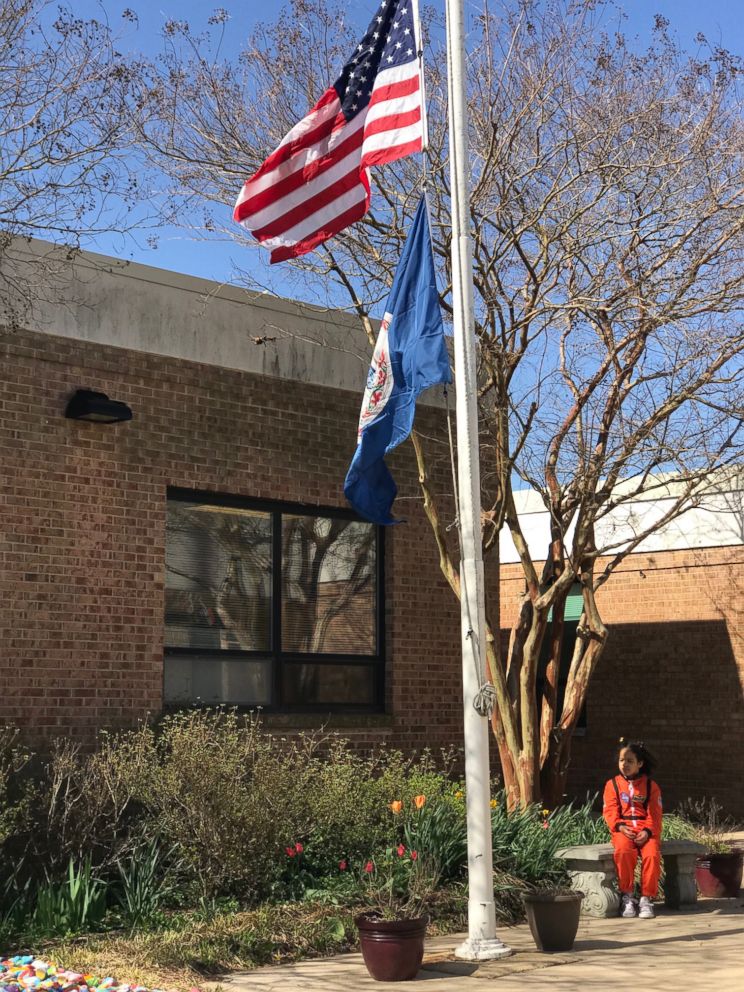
x: 203, y: 551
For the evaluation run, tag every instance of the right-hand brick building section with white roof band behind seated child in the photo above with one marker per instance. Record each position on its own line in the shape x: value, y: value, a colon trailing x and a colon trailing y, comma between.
x: 672, y: 672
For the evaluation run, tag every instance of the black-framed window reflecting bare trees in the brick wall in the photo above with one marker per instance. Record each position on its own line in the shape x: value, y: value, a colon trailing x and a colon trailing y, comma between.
x: 271, y: 605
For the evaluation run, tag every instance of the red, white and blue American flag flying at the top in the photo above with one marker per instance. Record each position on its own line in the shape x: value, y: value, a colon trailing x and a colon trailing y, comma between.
x: 316, y: 182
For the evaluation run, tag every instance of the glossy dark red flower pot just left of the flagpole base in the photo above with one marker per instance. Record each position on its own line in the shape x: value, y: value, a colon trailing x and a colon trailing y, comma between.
x: 392, y: 949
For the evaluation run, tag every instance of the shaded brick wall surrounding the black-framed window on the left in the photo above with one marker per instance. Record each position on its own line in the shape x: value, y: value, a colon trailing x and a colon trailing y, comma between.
x: 82, y: 531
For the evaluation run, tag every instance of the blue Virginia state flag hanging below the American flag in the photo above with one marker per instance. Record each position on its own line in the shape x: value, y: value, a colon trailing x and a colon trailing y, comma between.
x: 409, y: 356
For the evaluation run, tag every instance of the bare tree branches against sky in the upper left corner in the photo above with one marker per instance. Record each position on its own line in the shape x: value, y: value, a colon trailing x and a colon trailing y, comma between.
x: 66, y: 165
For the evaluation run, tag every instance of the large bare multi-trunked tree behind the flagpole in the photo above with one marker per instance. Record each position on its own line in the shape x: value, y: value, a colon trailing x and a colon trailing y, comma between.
x: 608, y: 215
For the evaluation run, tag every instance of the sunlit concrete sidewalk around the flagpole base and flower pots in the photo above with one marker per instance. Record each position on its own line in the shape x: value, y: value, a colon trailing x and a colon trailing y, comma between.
x: 701, y: 949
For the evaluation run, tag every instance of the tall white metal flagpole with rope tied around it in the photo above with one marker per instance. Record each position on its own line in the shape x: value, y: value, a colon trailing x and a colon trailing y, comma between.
x: 482, y: 943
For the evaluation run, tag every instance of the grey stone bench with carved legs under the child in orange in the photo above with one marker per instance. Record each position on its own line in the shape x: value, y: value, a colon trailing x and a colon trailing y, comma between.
x: 592, y: 871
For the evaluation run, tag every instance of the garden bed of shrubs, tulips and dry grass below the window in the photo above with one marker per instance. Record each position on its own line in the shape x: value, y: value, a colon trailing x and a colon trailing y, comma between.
x: 176, y: 853
